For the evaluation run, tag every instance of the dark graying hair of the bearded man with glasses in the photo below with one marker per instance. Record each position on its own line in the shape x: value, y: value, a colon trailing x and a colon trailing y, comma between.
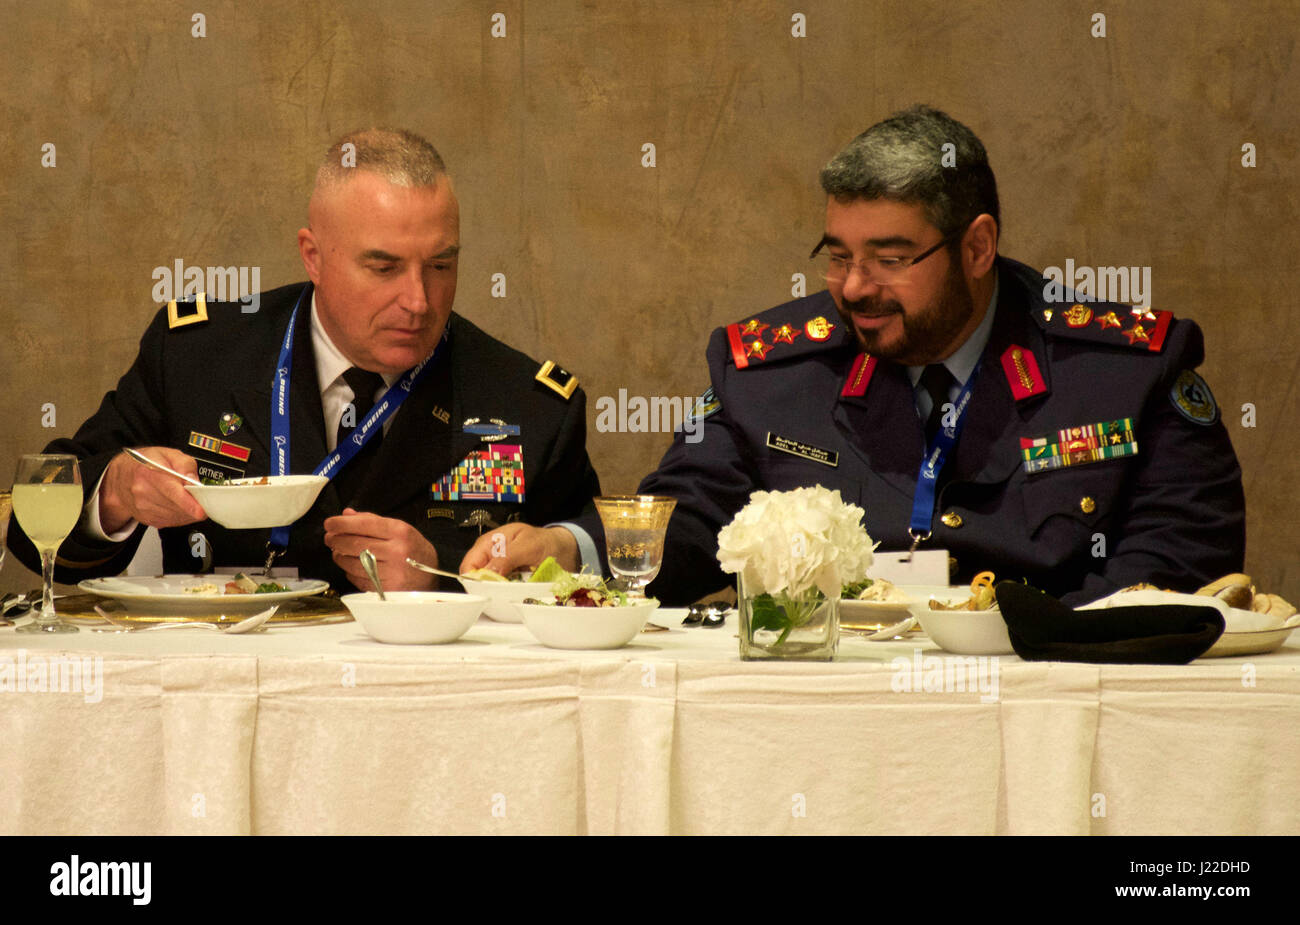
x: 903, y: 159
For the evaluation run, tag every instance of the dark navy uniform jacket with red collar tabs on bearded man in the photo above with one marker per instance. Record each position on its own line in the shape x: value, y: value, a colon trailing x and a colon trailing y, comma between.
x: 795, y: 403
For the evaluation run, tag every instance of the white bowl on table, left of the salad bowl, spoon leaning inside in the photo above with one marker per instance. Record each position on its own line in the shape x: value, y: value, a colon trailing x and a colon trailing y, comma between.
x: 415, y: 618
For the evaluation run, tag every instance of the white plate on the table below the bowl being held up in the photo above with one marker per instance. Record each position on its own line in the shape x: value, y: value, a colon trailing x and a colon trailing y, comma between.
x: 167, y: 594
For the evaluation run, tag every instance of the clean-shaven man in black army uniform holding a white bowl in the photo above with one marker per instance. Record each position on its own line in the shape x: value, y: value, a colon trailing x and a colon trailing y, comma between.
x: 484, y: 436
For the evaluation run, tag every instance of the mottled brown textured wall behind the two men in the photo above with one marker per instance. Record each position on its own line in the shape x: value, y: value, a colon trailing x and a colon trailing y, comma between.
x: 1113, y: 151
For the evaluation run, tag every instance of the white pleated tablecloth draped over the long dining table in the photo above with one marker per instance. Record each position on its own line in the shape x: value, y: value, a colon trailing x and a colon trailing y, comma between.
x: 324, y: 731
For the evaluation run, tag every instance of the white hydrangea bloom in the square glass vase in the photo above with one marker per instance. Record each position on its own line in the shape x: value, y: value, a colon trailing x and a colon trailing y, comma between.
x: 790, y: 542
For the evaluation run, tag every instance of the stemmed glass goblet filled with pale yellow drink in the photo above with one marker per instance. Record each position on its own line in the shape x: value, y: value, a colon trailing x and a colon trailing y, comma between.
x: 47, y: 501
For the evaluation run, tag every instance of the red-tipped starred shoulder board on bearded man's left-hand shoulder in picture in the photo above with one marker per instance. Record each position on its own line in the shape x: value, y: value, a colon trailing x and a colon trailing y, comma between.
x: 792, y: 331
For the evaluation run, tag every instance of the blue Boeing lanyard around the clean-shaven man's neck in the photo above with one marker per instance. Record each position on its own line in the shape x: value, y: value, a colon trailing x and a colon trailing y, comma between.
x: 343, y: 454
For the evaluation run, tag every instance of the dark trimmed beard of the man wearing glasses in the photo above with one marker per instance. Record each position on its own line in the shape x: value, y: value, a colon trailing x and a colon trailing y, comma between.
x: 928, y: 332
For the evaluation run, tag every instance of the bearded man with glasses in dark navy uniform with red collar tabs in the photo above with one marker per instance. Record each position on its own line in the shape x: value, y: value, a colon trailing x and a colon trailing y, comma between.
x: 1055, y: 440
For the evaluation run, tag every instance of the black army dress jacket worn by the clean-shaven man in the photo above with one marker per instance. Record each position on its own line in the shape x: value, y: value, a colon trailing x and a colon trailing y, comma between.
x: 479, y: 433
